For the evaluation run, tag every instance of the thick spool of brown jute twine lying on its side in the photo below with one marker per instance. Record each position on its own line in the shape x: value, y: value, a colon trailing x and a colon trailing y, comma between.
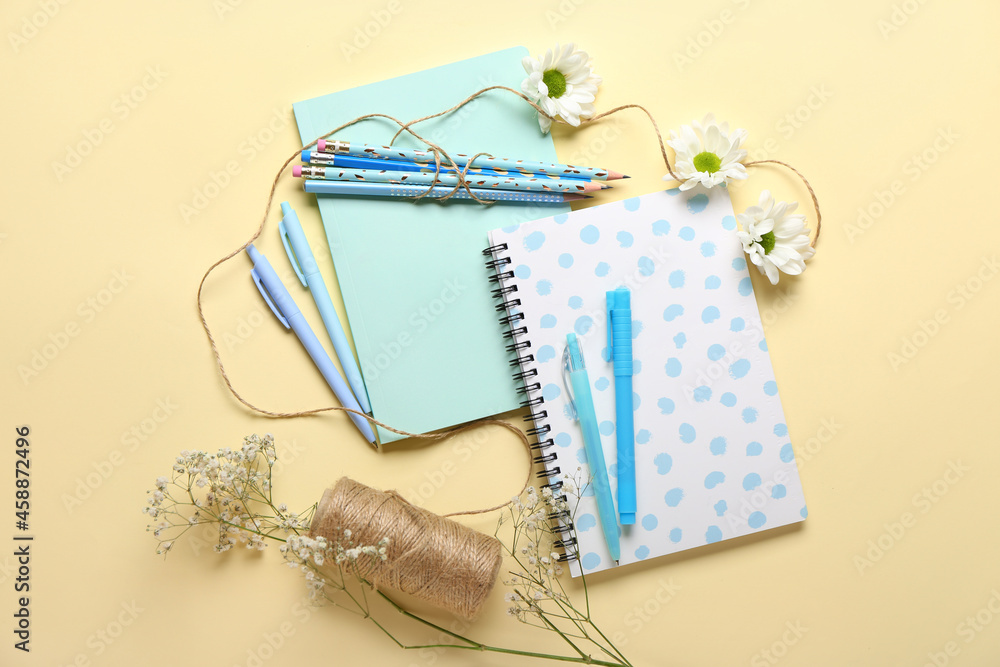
x: 430, y: 557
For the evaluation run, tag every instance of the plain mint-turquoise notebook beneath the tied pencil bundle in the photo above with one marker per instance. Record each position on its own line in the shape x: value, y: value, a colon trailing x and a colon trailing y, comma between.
x: 412, y: 276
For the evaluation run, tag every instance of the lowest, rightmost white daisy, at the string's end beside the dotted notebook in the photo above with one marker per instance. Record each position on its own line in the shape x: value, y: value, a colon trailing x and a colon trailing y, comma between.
x: 774, y: 238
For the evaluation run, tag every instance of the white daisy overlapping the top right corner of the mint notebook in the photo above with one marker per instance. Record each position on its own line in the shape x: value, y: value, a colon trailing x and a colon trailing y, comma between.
x: 562, y: 83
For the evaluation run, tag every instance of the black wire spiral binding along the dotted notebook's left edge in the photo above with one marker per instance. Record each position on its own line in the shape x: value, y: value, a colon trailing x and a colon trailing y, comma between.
x: 519, y: 346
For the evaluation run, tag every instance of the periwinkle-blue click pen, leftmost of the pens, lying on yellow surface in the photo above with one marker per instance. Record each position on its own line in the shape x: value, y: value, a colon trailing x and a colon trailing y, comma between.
x: 284, y: 308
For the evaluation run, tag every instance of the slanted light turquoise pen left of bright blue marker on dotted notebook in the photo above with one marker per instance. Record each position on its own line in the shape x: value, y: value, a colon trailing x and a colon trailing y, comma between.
x: 582, y: 408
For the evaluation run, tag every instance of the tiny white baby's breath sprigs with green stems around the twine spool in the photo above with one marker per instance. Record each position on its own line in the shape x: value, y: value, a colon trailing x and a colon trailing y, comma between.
x: 231, y: 491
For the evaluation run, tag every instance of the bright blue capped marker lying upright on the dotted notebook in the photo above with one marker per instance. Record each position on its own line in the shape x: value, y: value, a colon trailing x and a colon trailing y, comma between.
x: 620, y: 347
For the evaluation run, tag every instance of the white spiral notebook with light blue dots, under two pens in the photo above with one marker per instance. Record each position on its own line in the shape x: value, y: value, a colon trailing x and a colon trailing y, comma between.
x: 712, y: 454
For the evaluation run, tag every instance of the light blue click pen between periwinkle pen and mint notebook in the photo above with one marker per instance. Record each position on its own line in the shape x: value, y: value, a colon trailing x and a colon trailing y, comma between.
x: 305, y: 267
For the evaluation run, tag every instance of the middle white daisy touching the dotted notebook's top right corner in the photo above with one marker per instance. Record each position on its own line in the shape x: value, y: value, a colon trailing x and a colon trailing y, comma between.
x: 707, y: 154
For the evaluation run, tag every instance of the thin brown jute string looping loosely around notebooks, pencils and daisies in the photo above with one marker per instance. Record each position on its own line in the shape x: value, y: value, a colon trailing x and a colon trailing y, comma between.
x: 439, y: 155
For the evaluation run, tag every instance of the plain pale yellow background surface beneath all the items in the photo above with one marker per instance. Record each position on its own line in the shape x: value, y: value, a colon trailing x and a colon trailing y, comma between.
x: 853, y: 93
